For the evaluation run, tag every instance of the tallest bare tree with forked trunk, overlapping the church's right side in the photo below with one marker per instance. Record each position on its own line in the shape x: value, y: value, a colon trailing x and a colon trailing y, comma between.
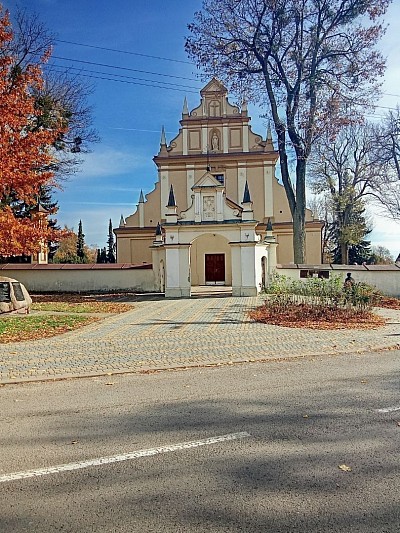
x: 306, y: 59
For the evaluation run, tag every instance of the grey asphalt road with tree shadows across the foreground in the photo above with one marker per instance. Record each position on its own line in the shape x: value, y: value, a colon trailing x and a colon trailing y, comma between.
x: 251, y: 447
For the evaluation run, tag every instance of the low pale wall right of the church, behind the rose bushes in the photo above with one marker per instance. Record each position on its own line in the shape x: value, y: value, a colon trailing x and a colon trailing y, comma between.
x: 385, y: 278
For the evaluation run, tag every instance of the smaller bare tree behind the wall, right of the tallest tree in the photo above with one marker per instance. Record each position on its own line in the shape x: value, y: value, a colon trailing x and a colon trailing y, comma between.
x: 349, y: 175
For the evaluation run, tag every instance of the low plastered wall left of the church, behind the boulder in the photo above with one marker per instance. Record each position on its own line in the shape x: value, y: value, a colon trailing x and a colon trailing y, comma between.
x: 82, y: 278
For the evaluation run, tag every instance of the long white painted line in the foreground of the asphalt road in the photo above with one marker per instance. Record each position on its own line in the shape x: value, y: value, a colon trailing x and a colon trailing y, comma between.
x: 119, y: 458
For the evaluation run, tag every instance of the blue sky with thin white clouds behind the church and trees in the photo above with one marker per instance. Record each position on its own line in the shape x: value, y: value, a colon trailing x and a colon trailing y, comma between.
x: 128, y: 114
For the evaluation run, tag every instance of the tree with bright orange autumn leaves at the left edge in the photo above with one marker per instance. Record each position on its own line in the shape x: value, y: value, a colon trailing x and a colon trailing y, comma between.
x: 25, y: 150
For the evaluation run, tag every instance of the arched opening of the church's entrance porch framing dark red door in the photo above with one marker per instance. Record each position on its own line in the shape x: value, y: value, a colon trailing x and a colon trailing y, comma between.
x: 210, y: 259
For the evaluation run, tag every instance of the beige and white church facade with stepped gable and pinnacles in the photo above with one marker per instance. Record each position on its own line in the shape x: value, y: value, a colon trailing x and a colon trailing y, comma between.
x: 217, y: 215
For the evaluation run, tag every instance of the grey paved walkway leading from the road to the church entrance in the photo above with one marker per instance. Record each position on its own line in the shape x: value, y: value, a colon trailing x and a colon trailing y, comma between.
x: 159, y: 334
